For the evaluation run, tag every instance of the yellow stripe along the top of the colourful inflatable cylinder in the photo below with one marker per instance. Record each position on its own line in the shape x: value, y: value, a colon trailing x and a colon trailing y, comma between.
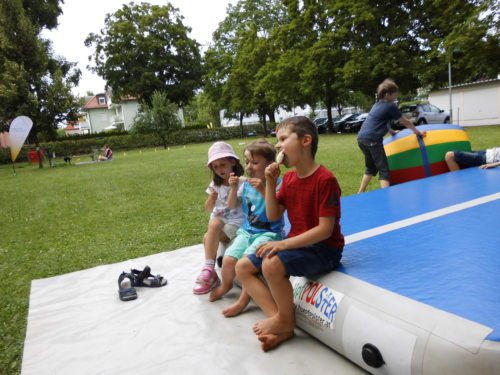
x: 433, y: 137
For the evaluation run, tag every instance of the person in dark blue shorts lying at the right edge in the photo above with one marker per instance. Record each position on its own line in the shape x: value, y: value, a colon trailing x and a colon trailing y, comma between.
x: 483, y: 159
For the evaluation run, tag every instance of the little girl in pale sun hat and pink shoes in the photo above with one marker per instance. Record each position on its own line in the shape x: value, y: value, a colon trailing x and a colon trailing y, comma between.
x: 224, y: 222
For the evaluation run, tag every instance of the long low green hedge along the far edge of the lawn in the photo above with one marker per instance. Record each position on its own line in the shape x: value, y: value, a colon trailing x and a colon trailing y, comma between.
x: 85, y: 145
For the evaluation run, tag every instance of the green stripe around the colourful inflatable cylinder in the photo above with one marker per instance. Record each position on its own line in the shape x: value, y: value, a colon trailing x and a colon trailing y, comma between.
x: 413, y: 158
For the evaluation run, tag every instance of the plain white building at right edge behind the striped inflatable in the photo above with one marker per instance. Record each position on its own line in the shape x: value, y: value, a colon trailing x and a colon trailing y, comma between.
x: 473, y: 104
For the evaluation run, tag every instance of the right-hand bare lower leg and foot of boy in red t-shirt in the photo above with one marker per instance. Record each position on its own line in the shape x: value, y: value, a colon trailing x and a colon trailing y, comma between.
x: 283, y: 322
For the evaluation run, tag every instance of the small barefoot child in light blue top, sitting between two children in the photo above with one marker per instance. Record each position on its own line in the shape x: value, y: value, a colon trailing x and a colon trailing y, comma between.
x: 256, y: 228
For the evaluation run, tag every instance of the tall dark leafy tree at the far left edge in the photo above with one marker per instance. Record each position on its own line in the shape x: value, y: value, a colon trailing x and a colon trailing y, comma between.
x: 33, y: 81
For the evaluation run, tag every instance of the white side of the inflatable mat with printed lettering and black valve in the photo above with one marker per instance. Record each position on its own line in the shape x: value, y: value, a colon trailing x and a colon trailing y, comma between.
x: 352, y: 317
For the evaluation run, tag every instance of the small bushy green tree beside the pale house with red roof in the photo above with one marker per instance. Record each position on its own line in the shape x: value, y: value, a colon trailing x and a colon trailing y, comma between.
x: 159, y: 117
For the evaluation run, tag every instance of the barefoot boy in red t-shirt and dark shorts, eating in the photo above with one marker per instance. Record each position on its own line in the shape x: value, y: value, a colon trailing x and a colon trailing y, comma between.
x: 311, y: 195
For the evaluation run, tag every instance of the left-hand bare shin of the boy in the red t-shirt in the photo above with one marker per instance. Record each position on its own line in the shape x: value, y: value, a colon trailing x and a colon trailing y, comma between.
x: 258, y: 291
